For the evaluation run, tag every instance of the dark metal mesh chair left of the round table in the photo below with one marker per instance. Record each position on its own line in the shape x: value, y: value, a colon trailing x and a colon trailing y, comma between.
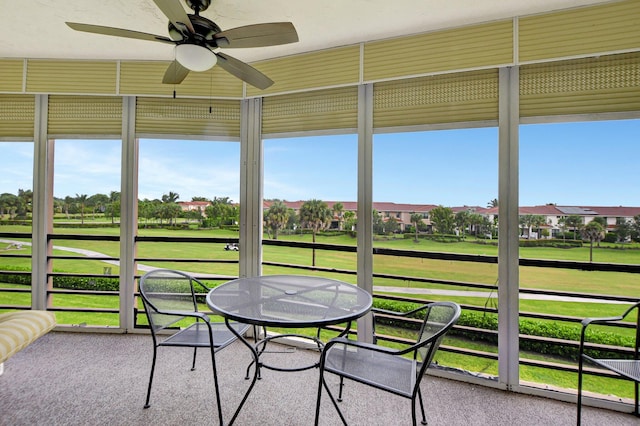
x: 171, y: 301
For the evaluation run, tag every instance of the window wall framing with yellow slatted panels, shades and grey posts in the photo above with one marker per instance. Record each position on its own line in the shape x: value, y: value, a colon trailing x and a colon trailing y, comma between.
x: 579, y: 64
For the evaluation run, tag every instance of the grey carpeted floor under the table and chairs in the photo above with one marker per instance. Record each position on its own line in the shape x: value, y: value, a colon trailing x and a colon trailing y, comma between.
x: 101, y: 379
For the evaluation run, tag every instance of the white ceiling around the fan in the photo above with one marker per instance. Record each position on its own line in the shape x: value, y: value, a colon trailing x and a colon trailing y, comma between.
x: 36, y: 28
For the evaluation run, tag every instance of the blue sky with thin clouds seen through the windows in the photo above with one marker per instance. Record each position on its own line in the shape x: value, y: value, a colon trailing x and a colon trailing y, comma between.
x: 594, y: 163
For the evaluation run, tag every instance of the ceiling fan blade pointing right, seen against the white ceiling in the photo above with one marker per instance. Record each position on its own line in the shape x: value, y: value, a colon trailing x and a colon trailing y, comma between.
x: 258, y: 35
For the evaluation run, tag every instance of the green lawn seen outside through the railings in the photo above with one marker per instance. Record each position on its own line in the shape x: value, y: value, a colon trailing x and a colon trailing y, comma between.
x: 612, y: 283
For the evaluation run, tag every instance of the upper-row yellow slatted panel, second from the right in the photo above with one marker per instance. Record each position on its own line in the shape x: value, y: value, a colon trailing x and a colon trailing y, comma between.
x: 477, y: 46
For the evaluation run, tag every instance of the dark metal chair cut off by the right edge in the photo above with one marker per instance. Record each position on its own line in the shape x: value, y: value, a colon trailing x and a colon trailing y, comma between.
x: 628, y: 367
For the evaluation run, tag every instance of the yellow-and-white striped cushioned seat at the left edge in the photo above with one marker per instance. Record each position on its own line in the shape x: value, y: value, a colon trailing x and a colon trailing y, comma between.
x: 21, y: 328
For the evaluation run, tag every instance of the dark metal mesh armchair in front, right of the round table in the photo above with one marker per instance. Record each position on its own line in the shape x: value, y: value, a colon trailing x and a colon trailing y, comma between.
x: 398, y: 371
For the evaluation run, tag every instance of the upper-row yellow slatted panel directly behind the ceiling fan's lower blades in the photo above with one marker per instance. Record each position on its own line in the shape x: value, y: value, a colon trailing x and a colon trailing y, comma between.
x: 145, y: 78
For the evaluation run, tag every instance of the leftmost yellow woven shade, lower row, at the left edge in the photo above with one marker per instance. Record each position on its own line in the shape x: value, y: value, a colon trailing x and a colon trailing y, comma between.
x: 17, y: 113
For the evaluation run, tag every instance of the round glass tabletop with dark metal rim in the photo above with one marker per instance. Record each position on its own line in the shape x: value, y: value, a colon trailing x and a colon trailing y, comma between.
x: 289, y: 301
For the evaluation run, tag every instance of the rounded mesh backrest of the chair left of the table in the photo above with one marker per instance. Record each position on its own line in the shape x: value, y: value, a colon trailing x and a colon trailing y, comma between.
x: 166, y: 294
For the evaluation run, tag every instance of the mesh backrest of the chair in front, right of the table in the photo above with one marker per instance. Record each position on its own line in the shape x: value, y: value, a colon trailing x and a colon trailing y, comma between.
x: 439, y: 317
